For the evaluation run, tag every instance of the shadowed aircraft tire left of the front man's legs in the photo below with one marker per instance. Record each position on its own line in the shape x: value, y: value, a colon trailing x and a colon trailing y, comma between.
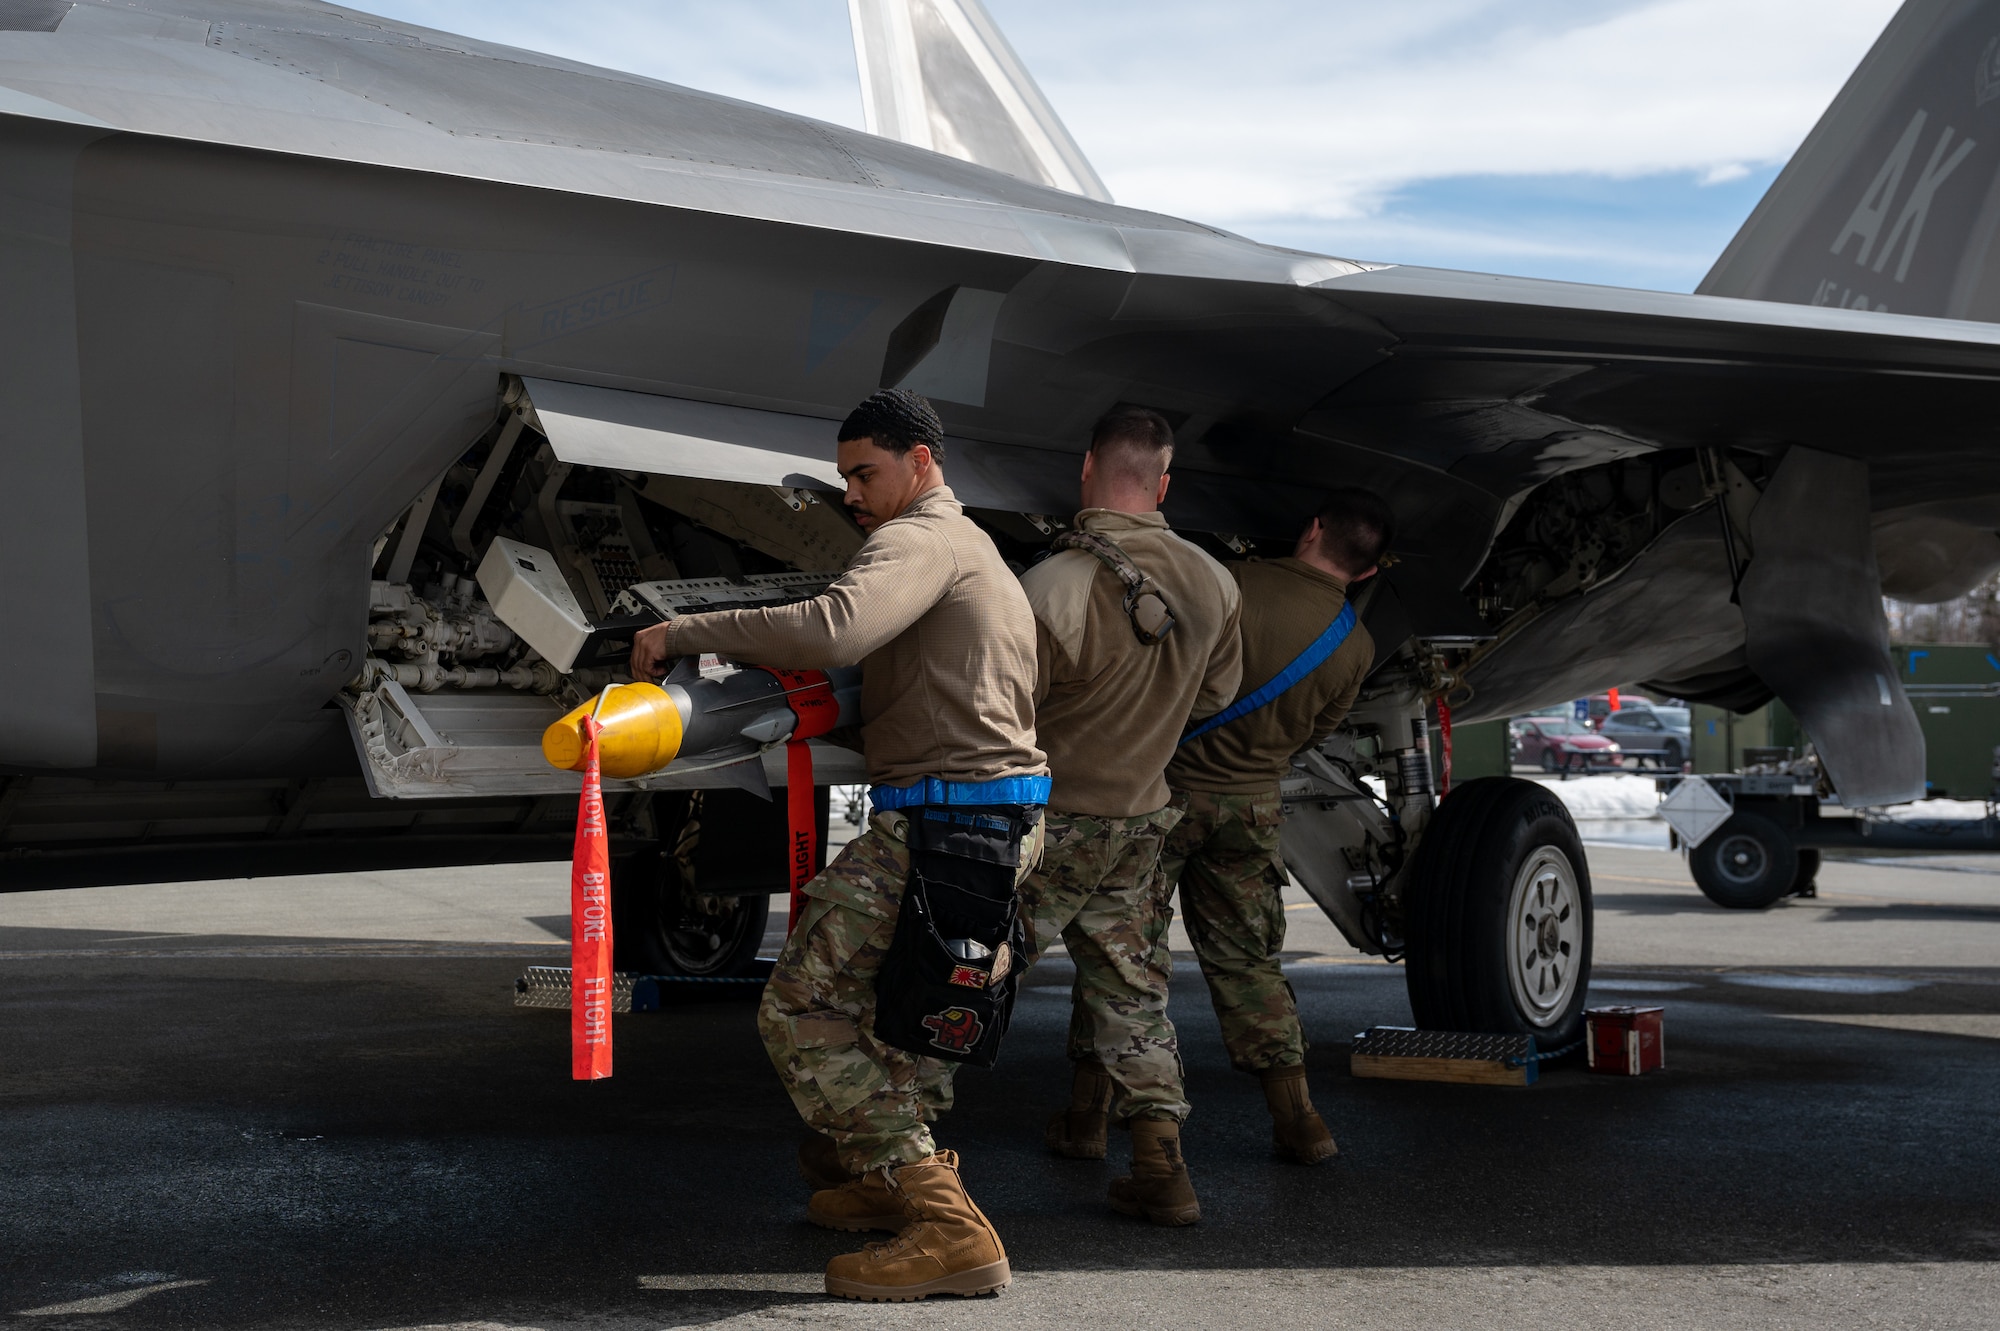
x: 659, y: 930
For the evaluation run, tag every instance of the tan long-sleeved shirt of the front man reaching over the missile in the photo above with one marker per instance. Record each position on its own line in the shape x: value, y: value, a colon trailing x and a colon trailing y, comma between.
x: 941, y: 631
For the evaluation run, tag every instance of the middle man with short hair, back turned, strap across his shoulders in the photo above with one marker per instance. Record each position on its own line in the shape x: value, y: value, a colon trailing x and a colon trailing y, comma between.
x: 1115, y: 696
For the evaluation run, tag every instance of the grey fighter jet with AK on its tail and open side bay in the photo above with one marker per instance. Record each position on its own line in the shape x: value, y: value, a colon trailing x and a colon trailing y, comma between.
x: 367, y: 383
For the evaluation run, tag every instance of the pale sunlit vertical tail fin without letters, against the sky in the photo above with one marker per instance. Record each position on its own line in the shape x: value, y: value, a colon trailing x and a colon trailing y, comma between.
x: 941, y: 75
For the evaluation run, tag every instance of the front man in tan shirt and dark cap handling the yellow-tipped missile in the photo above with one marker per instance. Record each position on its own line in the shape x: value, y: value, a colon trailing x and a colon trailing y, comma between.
x: 949, y: 665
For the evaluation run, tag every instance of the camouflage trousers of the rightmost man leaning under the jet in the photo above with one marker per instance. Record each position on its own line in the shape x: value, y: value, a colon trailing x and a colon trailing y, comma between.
x: 1225, y: 860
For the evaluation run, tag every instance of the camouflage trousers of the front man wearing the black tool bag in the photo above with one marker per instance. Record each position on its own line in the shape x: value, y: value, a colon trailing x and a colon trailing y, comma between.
x: 817, y: 1016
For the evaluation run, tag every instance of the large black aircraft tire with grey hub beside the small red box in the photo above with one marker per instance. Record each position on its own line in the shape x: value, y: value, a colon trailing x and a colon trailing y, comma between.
x: 1483, y: 952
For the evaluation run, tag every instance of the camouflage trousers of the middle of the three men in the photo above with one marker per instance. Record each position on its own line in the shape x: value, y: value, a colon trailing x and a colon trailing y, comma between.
x: 1101, y: 892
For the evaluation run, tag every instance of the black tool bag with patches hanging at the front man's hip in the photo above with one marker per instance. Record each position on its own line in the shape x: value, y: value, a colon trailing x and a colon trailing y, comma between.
x: 947, y: 984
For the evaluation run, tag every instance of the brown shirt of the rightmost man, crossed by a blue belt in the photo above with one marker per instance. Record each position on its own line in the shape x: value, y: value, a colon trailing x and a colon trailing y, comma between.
x: 1287, y: 605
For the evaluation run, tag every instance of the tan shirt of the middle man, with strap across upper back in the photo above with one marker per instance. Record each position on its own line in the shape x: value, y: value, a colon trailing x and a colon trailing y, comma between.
x: 1109, y: 706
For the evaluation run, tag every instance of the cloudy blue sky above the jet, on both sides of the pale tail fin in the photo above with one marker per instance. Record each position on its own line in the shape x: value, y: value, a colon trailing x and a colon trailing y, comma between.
x: 1599, y: 141
